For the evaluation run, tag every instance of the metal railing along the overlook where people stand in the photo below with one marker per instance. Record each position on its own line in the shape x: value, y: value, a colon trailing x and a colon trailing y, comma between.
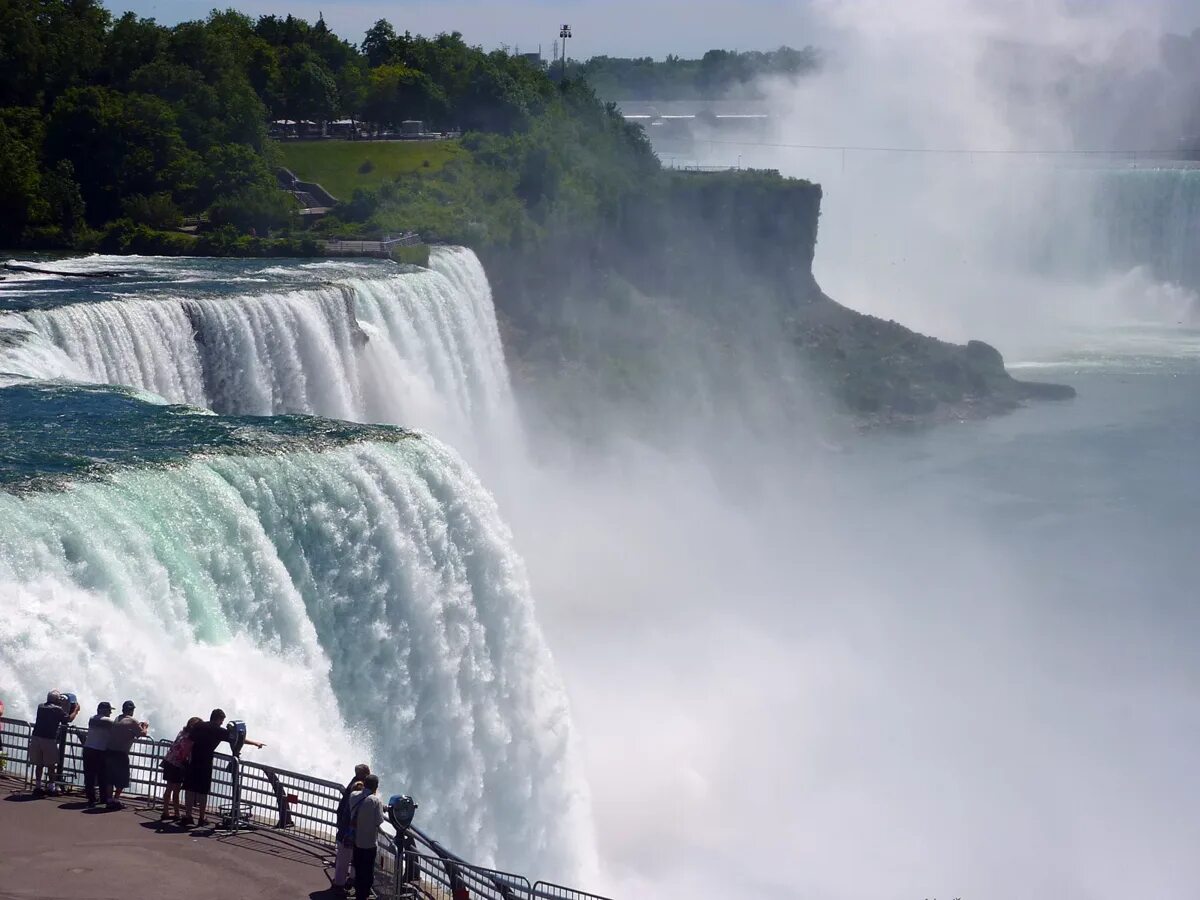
x: 250, y: 795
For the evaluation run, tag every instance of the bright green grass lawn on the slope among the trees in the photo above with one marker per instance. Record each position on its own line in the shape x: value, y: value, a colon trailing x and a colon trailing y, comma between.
x: 335, y: 165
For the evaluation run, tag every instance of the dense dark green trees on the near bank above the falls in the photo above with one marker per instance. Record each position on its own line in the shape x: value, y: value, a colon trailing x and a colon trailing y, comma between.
x: 127, y: 122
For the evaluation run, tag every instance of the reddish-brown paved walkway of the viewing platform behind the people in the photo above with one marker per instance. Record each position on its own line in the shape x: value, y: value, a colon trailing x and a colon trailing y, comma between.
x: 56, y: 849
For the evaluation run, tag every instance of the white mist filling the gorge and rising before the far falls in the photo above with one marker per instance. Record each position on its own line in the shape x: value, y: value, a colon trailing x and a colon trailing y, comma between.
x: 806, y: 663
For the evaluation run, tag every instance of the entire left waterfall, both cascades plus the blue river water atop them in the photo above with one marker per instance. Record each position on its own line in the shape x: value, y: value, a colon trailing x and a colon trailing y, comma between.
x: 351, y: 592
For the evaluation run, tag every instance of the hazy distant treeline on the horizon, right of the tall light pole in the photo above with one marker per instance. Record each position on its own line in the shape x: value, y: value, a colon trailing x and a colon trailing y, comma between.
x: 718, y: 74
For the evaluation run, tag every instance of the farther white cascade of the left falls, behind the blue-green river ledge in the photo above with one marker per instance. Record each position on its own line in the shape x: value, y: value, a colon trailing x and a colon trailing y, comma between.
x: 422, y: 350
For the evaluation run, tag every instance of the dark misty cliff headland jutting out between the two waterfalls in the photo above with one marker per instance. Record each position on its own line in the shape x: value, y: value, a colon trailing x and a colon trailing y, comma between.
x: 734, y: 253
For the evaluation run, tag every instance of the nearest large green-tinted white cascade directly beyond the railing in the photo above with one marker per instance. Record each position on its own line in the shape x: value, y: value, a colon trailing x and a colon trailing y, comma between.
x: 358, y: 603
